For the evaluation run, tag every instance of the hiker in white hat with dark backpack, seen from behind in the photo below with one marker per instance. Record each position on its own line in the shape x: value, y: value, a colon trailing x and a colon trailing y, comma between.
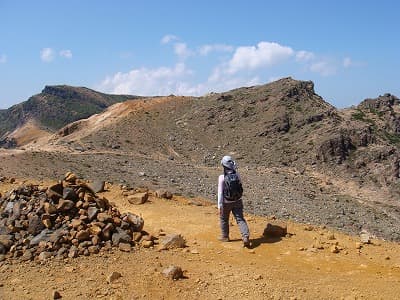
x: 230, y: 199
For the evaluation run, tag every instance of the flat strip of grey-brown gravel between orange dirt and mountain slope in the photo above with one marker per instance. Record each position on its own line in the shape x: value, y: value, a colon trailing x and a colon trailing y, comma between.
x: 305, y: 195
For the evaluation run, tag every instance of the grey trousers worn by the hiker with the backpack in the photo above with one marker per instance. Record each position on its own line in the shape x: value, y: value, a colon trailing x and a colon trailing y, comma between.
x: 237, y: 210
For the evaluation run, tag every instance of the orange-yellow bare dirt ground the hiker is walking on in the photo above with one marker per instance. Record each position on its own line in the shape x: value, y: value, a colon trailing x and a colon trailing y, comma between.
x: 301, y: 266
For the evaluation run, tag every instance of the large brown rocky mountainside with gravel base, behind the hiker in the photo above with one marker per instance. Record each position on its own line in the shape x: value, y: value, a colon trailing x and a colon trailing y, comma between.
x: 300, y: 157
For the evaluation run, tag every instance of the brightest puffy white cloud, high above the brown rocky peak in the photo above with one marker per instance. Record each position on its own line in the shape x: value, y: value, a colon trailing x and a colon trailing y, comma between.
x: 253, y: 57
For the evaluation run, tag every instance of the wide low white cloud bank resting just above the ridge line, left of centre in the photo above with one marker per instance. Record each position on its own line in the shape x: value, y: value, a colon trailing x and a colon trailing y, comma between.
x: 144, y: 81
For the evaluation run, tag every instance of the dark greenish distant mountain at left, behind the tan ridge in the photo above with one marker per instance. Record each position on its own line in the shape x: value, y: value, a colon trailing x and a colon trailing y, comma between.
x: 53, y: 108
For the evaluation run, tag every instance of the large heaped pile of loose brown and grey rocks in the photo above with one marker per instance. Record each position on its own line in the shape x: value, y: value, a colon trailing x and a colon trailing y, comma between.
x: 67, y: 219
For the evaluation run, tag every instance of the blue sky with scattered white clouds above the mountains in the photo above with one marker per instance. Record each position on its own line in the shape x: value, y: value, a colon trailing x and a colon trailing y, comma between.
x: 349, y: 49
